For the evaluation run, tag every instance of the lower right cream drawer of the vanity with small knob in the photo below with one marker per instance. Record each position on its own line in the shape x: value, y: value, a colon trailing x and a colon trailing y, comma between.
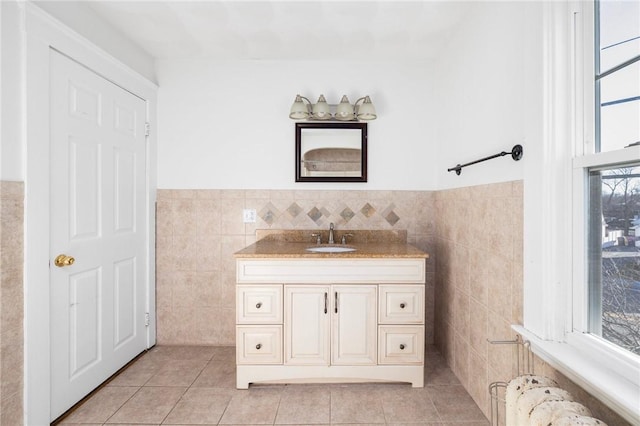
x: 402, y: 344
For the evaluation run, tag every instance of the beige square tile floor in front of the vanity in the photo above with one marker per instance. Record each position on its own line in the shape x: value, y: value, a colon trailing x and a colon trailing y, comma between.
x: 186, y: 385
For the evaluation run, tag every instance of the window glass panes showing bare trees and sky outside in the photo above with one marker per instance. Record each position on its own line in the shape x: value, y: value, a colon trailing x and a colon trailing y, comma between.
x: 613, y: 185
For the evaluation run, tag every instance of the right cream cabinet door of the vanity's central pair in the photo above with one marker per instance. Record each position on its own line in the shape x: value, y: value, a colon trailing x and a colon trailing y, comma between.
x: 354, y: 325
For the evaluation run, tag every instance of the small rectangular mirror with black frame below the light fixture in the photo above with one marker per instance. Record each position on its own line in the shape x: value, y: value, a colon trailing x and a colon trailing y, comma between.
x: 331, y: 152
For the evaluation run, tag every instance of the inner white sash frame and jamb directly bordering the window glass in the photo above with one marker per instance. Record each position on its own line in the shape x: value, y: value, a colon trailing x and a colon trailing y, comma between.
x: 586, y: 158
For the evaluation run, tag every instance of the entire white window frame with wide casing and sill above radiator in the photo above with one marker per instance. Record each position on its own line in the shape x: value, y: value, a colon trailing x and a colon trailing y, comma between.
x: 555, y: 290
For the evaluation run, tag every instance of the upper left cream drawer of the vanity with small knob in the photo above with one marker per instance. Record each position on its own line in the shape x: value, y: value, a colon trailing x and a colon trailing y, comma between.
x: 259, y: 304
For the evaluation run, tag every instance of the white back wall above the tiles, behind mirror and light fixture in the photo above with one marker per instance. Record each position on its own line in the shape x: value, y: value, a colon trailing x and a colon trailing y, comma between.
x: 225, y: 125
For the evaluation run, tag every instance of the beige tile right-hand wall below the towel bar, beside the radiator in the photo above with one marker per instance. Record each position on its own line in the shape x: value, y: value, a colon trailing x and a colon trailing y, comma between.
x: 478, y: 289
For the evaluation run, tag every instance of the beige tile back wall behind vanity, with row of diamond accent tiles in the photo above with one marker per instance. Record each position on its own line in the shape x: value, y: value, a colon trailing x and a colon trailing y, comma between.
x: 199, y: 230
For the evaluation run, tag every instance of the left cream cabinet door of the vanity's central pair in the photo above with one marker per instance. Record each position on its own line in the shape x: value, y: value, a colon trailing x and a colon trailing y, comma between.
x: 307, y: 324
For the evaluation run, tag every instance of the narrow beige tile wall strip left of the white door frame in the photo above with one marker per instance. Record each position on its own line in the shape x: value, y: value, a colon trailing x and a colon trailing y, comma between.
x: 11, y: 302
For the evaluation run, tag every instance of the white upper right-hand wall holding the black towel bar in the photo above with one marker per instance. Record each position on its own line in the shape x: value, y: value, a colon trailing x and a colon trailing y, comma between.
x: 483, y: 83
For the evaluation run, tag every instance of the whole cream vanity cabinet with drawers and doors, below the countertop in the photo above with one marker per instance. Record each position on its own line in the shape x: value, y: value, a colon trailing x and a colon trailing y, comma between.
x: 330, y: 320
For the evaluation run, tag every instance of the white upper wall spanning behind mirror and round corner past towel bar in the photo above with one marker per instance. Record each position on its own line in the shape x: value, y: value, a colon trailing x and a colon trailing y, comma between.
x: 224, y: 124
